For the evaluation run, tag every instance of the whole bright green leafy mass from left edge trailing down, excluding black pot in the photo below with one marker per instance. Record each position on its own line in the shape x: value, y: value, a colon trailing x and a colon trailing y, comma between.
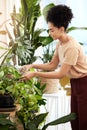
x: 29, y: 94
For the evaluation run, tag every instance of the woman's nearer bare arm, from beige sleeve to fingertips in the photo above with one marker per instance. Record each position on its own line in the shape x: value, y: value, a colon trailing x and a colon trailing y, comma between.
x: 53, y: 74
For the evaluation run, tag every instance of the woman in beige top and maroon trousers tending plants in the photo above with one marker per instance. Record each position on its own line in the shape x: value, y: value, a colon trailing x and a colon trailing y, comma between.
x: 73, y: 61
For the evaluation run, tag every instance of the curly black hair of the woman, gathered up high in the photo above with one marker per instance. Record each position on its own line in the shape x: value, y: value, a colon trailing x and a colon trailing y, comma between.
x: 60, y: 15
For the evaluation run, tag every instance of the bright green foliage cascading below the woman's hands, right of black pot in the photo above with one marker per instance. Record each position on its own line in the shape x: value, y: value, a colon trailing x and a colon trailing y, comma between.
x: 31, y: 100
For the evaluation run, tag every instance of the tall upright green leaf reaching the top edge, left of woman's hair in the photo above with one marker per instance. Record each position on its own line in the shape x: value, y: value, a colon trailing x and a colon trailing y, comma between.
x: 30, y: 14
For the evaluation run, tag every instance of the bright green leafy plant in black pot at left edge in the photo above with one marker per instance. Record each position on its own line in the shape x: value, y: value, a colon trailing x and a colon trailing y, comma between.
x: 8, y: 77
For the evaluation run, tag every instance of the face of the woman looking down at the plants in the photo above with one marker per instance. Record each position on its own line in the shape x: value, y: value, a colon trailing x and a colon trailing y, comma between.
x: 54, y: 32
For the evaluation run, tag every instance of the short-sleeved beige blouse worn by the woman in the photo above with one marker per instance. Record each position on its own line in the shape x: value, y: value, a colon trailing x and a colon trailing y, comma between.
x: 72, y: 53
